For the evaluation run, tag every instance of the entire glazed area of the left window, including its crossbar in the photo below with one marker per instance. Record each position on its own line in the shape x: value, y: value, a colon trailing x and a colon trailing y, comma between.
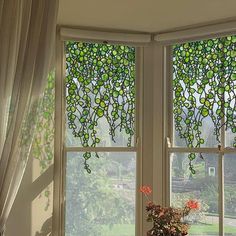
x: 100, y: 144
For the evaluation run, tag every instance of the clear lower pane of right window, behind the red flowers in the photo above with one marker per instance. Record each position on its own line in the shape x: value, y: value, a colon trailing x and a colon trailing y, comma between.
x: 203, y: 186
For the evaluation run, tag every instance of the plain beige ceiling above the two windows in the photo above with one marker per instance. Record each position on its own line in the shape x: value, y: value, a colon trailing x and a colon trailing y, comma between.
x: 143, y: 15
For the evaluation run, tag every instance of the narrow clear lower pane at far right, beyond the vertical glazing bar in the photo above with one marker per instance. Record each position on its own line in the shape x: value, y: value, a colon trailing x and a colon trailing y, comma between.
x: 230, y: 194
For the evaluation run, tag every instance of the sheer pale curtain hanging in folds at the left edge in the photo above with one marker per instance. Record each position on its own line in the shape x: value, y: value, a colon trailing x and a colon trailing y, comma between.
x: 27, y: 36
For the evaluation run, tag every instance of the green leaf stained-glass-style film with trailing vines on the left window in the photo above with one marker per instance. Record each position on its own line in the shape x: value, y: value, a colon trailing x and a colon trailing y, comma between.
x: 100, y: 84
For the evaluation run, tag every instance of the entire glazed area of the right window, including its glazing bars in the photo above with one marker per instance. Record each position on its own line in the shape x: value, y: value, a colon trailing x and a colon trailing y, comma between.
x: 203, y: 153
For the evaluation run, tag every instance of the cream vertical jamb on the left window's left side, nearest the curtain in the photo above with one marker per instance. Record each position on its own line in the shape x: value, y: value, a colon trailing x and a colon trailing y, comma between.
x: 59, y: 162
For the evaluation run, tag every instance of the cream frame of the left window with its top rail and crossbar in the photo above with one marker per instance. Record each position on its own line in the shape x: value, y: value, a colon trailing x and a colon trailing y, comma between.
x: 137, y: 40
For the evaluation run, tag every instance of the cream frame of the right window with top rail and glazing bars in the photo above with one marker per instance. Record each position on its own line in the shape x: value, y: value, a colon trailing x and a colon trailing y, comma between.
x: 167, y: 40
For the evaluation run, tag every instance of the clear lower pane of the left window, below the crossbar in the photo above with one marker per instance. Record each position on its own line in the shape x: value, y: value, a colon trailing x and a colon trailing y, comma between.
x: 103, y: 202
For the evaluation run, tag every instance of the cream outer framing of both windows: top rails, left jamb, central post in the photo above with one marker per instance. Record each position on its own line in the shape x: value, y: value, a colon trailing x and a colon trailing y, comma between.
x: 155, y: 69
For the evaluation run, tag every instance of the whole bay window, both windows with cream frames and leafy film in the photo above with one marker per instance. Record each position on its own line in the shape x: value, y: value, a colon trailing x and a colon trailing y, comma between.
x: 132, y: 111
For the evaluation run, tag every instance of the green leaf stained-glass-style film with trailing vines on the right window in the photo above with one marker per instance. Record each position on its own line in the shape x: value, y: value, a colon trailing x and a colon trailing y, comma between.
x: 204, y: 82
